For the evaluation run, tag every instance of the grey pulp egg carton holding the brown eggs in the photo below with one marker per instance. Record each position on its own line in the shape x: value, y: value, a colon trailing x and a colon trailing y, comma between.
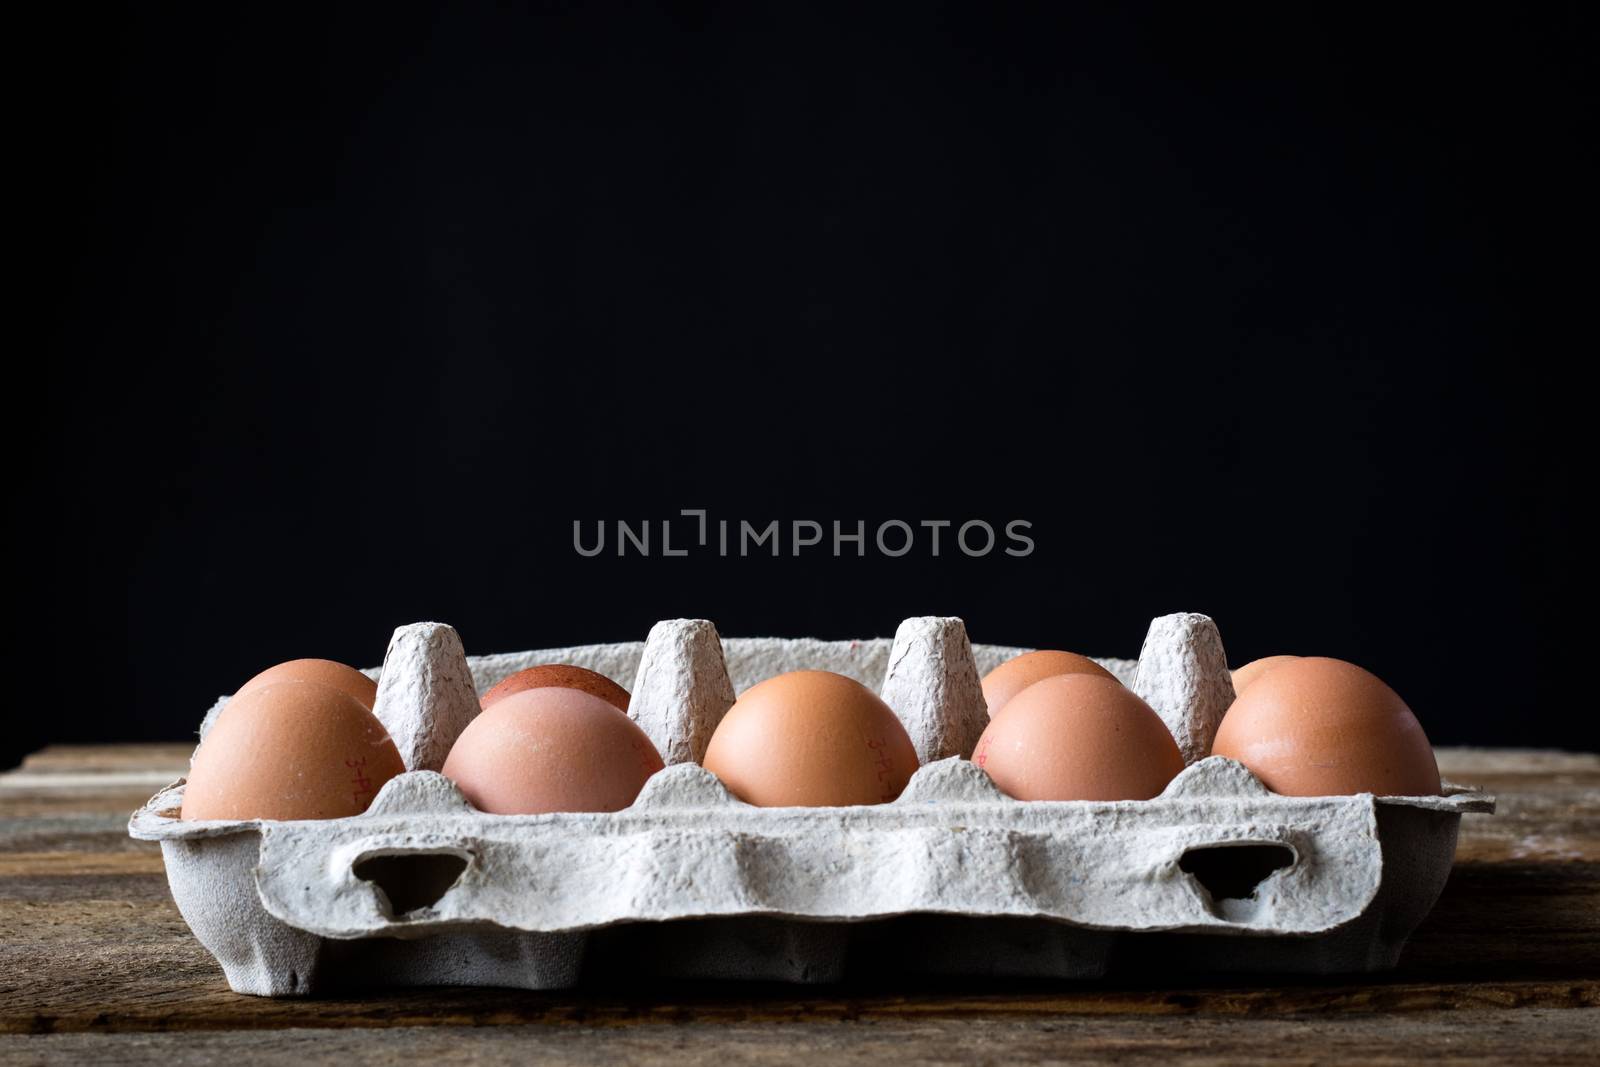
x: 1215, y: 874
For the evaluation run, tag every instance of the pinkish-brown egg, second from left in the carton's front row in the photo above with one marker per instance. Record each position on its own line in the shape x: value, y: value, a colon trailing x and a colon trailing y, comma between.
x: 551, y: 749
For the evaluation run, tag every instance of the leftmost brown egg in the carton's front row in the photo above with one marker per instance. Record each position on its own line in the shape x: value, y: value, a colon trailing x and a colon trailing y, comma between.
x: 290, y: 751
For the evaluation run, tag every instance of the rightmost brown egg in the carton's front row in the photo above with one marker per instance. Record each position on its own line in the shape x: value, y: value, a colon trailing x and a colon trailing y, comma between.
x: 1322, y: 727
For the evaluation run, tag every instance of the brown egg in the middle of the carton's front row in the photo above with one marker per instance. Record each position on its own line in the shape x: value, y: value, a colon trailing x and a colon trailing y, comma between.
x: 812, y: 740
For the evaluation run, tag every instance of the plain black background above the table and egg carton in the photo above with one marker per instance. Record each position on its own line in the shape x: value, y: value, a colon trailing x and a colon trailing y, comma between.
x: 1262, y: 313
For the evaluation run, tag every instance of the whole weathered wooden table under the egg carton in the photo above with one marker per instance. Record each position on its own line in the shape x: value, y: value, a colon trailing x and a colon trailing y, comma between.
x: 97, y: 967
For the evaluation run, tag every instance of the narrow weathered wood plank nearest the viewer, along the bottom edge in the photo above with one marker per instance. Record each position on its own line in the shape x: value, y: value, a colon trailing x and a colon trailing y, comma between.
x: 1447, y: 1039
